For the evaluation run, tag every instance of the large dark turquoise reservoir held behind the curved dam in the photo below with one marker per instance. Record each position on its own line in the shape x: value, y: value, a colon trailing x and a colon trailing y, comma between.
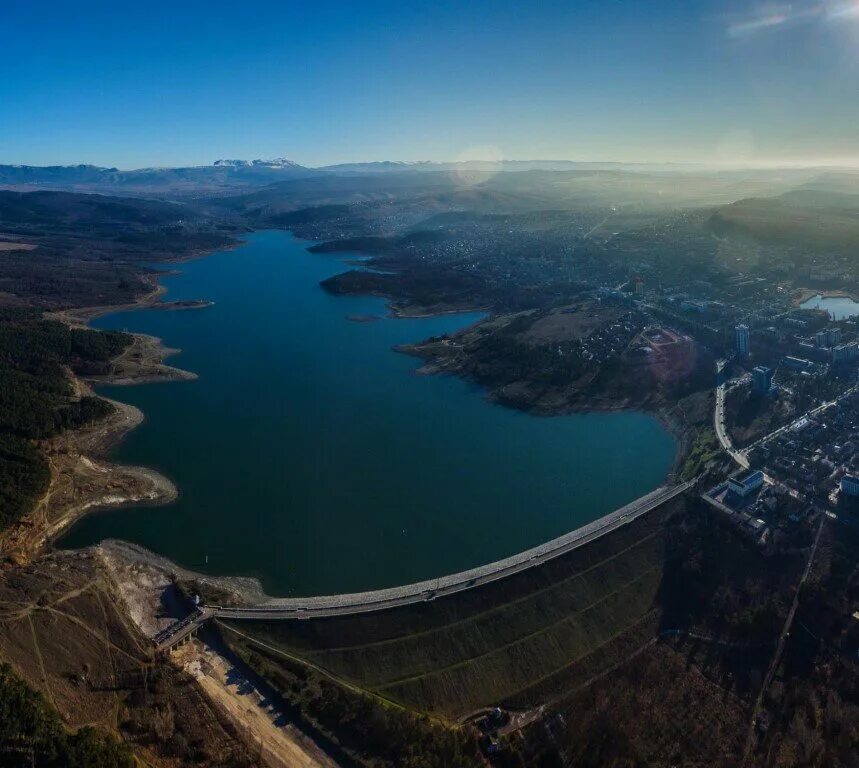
x: 309, y: 453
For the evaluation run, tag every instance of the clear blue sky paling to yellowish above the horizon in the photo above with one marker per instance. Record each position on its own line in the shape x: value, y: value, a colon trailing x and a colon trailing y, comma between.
x: 185, y: 82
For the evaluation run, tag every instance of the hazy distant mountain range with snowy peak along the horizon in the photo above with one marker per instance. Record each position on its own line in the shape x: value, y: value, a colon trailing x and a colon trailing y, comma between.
x: 242, y: 177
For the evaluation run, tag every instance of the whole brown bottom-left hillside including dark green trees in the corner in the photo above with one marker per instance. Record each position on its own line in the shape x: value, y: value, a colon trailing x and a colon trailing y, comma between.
x: 65, y: 633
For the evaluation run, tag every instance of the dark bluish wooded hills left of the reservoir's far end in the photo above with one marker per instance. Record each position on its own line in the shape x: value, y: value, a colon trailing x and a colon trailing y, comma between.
x: 79, y: 250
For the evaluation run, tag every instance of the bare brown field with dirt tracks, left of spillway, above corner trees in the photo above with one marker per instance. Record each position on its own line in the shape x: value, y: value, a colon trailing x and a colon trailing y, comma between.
x: 64, y: 631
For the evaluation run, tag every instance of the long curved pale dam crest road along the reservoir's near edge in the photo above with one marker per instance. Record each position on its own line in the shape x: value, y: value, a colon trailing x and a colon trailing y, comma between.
x: 383, y: 599
